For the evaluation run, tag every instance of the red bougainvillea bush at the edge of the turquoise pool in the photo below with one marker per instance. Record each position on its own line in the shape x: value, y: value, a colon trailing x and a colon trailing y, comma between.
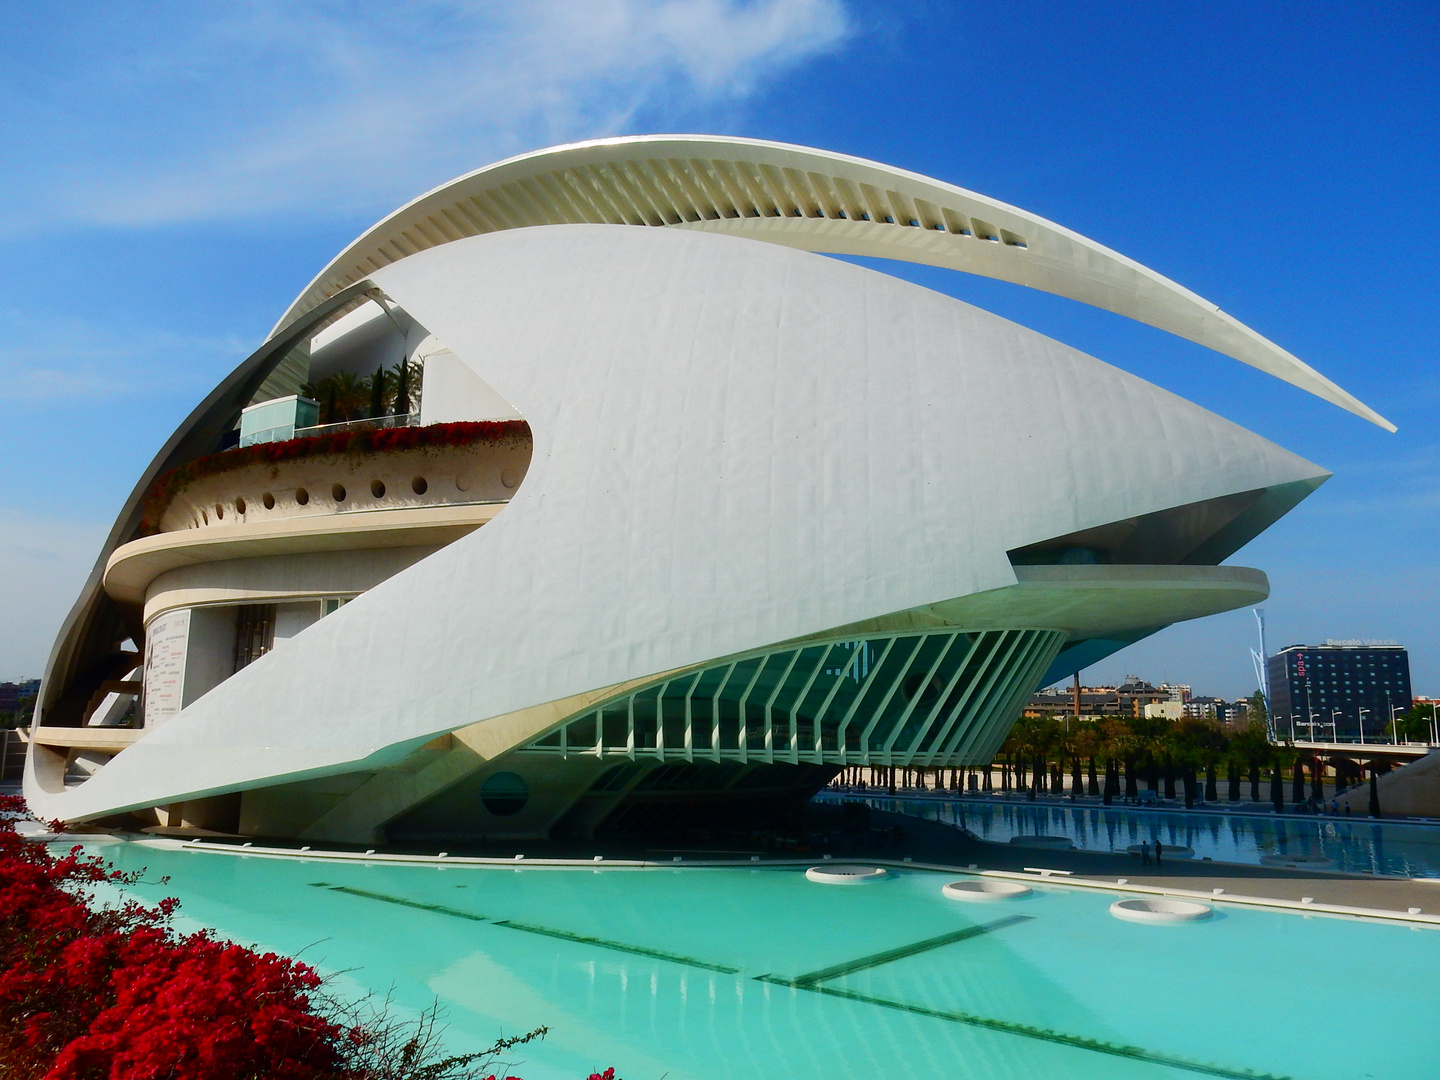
x: 114, y: 993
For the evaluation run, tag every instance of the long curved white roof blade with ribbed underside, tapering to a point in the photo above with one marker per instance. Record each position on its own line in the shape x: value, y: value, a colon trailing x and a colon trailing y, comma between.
x: 811, y: 199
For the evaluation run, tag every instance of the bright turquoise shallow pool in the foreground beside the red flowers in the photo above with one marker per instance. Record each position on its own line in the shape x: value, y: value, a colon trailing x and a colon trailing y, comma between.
x: 758, y: 973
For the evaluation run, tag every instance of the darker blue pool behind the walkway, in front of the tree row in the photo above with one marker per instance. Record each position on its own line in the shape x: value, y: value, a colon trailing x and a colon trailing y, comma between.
x: 1354, y: 845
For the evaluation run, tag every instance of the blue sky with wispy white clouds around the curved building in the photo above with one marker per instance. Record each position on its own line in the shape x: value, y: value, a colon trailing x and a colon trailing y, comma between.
x: 171, y: 184
